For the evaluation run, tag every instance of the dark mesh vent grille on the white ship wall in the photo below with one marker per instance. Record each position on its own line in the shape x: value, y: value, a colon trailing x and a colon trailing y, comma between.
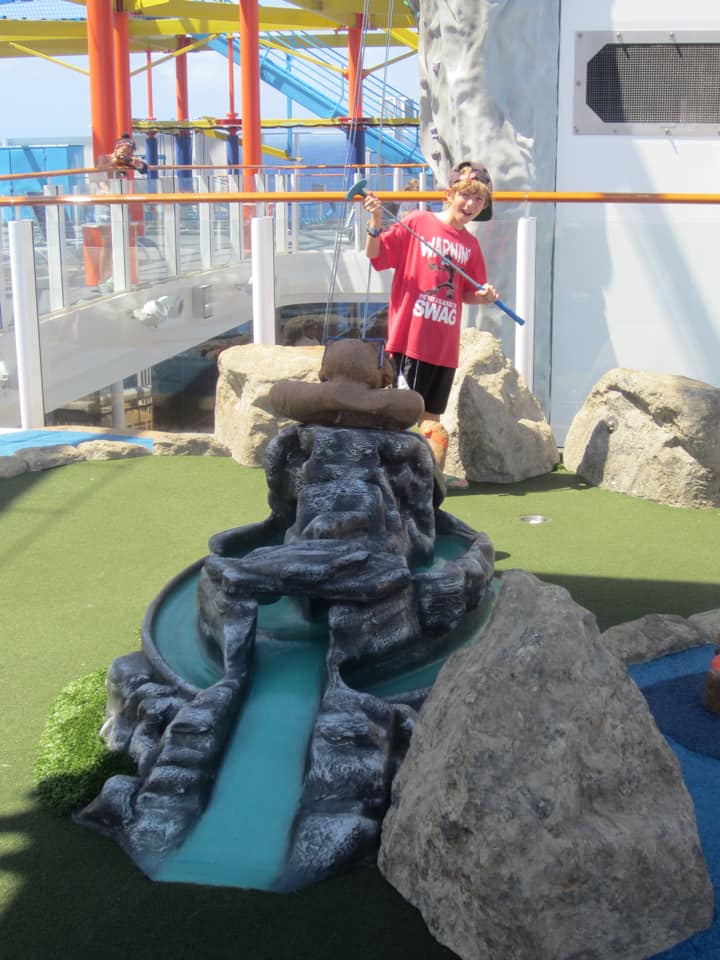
x: 655, y: 83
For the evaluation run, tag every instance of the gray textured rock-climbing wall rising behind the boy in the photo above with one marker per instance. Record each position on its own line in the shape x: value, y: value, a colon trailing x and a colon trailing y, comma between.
x: 488, y: 82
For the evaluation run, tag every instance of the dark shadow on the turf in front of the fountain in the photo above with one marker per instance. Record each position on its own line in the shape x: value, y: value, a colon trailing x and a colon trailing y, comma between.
x: 74, y: 894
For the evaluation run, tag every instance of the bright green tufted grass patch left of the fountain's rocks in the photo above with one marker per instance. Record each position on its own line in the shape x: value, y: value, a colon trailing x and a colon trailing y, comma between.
x: 72, y: 761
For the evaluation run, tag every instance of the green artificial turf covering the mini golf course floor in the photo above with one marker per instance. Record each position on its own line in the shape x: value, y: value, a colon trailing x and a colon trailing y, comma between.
x: 87, y: 547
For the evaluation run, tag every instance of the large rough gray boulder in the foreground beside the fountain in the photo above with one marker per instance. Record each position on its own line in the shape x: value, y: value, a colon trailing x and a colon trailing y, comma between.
x: 539, y: 813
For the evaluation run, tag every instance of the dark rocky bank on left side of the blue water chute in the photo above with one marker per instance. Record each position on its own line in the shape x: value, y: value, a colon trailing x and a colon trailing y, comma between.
x: 176, y: 738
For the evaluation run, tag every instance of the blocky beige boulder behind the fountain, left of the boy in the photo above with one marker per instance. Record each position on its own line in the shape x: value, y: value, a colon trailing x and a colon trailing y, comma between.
x: 245, y: 420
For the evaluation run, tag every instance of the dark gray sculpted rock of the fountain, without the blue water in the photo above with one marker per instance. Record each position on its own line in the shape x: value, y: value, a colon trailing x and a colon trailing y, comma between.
x: 351, y: 538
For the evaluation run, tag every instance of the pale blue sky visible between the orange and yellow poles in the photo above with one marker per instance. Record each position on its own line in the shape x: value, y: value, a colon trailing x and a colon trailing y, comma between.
x: 52, y: 101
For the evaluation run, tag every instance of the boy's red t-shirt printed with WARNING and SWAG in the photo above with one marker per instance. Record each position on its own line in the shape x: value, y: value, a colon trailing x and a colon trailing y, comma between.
x: 426, y: 296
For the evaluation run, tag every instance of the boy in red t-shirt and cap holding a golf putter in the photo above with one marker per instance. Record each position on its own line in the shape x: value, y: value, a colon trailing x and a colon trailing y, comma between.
x: 428, y: 292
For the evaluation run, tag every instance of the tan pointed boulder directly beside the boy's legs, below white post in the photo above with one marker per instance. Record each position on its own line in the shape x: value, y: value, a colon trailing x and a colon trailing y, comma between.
x: 498, y: 432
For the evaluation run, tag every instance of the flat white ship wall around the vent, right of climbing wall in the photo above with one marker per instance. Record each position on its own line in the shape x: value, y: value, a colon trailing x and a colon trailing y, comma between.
x: 634, y: 286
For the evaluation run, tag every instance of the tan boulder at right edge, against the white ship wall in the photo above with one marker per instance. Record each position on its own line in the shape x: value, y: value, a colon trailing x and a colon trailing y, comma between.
x: 651, y: 435
